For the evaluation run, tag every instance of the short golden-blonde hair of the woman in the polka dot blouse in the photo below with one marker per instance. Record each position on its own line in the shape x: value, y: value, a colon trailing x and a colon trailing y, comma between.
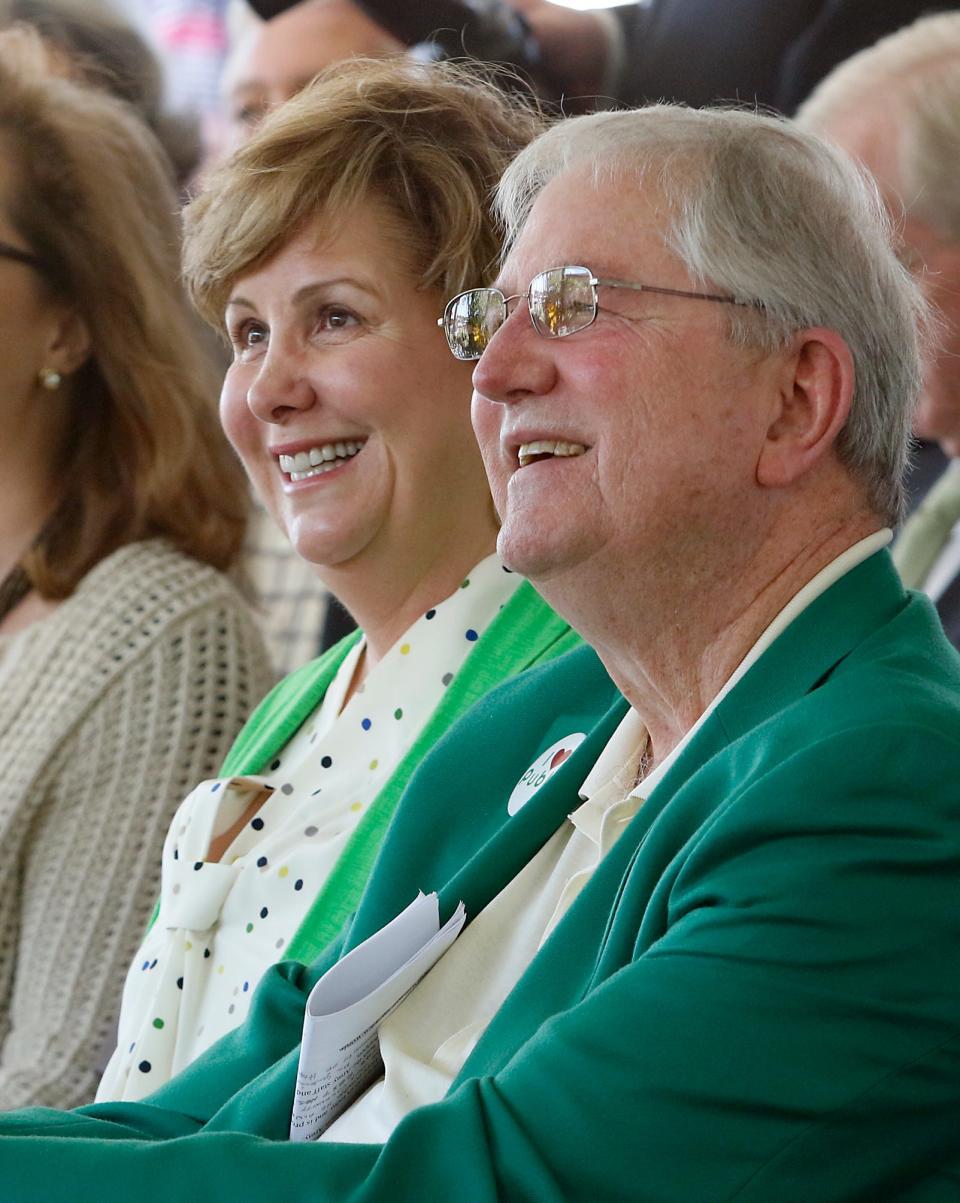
x: 426, y: 141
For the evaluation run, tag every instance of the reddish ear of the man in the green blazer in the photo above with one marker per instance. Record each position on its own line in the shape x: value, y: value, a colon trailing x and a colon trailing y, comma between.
x: 815, y: 400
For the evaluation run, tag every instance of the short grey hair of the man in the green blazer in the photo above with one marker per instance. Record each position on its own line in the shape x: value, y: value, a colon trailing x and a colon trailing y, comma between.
x: 784, y: 223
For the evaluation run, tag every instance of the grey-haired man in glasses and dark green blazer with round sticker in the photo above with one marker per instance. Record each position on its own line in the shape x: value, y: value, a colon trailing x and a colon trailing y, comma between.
x: 714, y: 914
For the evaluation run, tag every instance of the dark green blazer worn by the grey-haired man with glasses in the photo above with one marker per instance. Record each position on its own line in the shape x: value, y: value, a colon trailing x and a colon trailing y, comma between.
x: 756, y: 998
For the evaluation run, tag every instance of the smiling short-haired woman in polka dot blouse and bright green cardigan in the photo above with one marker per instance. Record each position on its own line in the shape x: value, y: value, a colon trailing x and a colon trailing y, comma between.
x: 327, y: 248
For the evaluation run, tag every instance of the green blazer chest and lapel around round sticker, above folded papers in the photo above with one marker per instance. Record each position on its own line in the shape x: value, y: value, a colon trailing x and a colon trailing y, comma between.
x: 453, y: 833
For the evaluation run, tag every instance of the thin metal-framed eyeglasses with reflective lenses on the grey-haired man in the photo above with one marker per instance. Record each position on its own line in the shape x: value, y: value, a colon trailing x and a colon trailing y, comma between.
x: 561, y: 301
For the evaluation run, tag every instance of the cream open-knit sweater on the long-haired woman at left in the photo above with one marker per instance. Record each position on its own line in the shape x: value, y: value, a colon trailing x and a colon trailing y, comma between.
x: 111, y: 710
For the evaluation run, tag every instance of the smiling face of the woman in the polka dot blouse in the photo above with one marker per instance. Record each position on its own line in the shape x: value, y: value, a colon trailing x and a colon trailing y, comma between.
x: 343, y: 402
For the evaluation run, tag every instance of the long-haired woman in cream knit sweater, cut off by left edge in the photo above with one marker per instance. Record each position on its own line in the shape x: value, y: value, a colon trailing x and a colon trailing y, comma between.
x: 128, y: 661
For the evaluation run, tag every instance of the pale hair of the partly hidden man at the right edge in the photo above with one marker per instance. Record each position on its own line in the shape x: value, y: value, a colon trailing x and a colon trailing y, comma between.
x: 912, y: 80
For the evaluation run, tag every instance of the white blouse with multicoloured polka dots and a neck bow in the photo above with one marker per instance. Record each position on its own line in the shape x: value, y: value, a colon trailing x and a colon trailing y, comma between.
x: 222, y: 925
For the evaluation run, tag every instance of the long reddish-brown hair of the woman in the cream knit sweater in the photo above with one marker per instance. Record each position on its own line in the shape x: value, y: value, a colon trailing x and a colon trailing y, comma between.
x: 91, y: 197
